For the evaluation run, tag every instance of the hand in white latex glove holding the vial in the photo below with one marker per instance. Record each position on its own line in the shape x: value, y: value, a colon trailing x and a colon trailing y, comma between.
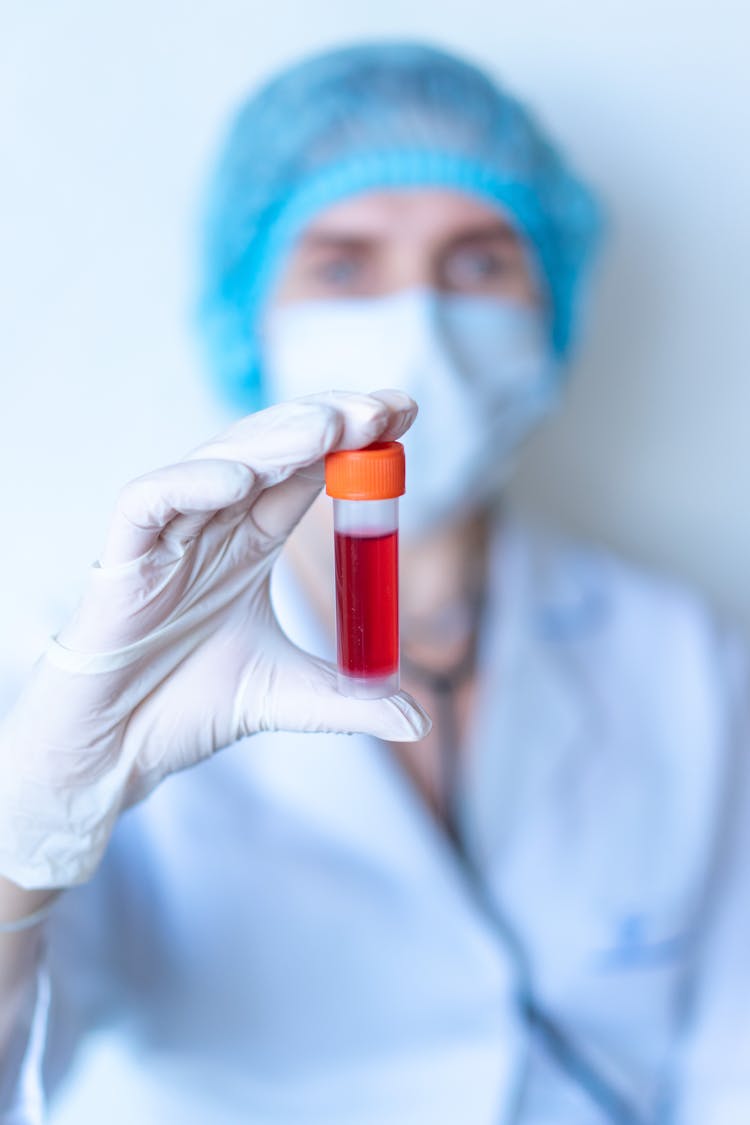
x: 175, y: 651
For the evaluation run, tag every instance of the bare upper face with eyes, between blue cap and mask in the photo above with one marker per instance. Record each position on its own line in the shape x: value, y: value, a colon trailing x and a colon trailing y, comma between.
x: 382, y: 242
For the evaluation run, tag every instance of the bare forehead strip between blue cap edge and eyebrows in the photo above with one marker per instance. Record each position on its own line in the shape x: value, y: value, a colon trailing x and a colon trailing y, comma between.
x: 421, y: 213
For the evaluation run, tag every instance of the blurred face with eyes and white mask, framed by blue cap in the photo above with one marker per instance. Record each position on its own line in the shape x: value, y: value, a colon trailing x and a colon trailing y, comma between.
x: 432, y: 292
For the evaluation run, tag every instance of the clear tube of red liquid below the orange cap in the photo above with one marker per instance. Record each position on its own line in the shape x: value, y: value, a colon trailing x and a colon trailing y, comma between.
x: 366, y: 534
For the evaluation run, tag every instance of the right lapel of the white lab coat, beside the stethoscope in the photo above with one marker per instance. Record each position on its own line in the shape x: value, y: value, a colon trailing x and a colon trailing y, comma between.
x: 546, y: 599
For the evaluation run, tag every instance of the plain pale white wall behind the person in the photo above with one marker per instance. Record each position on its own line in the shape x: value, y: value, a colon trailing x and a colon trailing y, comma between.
x: 109, y: 118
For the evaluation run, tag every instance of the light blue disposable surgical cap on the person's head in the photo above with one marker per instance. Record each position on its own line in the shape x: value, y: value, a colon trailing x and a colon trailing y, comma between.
x: 367, y: 118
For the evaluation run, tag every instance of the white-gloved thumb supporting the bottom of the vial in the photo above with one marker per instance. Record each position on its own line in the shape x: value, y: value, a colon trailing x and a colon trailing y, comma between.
x: 304, y: 696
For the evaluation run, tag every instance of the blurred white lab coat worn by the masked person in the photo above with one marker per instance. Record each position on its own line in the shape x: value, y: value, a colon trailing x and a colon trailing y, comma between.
x: 284, y: 934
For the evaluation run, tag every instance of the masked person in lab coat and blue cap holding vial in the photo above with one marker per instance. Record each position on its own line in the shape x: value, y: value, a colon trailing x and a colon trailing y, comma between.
x: 535, y: 912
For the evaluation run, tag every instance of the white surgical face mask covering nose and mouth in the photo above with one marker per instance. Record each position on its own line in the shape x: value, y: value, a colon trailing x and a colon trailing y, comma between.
x: 480, y: 368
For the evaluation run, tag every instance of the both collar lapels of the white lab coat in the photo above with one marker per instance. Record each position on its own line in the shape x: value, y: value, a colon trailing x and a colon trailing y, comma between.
x: 543, y: 601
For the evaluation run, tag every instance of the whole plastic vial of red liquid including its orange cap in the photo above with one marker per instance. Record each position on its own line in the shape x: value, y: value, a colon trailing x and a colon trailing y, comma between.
x: 366, y: 485
